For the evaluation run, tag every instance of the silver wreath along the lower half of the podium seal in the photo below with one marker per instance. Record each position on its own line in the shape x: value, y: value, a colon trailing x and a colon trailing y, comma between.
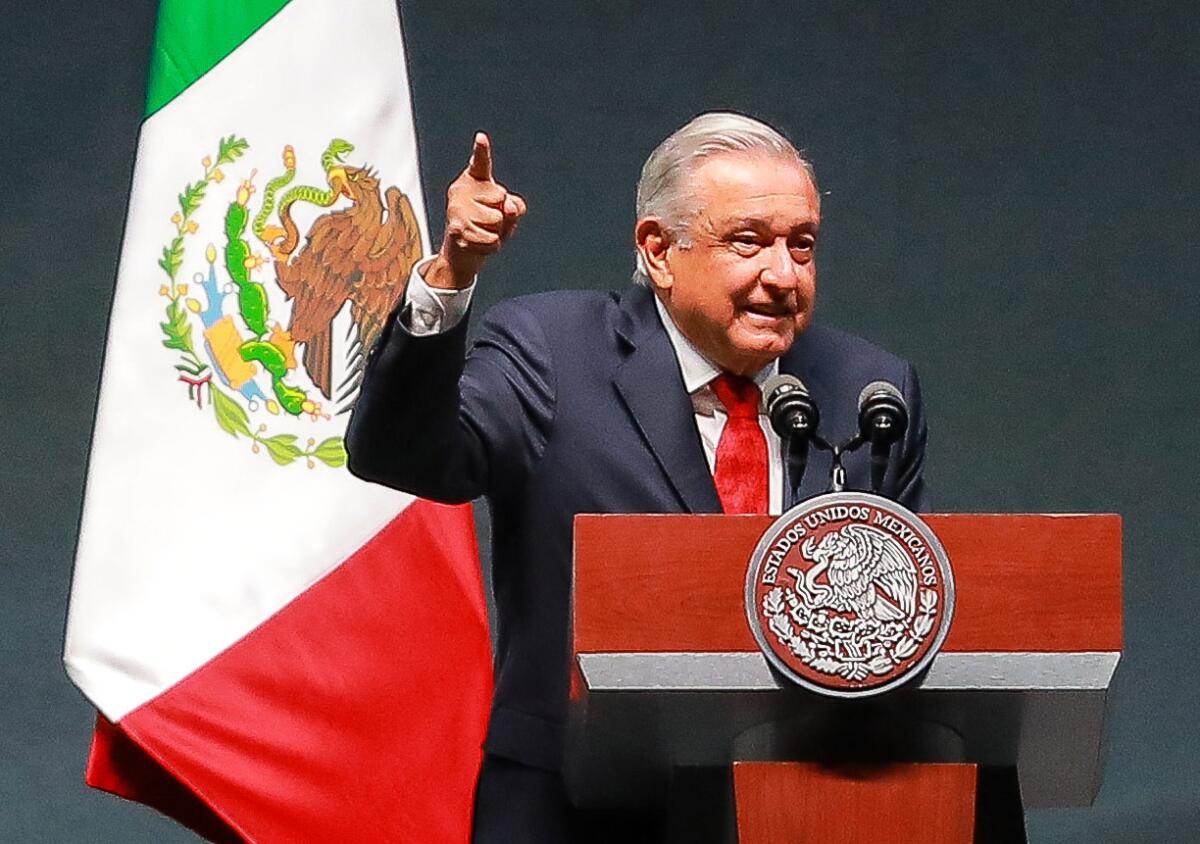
x: 853, y: 649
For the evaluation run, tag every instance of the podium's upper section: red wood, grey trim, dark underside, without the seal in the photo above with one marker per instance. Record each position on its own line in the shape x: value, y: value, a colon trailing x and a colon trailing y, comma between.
x: 667, y: 672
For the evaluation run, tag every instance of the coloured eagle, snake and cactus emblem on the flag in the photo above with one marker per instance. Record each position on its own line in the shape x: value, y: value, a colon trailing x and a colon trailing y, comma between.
x: 255, y: 328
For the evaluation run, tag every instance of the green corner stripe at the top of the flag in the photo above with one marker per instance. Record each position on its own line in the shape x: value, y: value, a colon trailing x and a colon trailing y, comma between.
x: 194, y: 35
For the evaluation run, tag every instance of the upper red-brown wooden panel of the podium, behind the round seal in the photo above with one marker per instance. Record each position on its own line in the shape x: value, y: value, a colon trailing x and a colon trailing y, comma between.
x: 671, y: 583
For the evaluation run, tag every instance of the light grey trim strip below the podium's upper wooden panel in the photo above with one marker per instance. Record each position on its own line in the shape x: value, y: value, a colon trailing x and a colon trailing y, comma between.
x: 751, y: 673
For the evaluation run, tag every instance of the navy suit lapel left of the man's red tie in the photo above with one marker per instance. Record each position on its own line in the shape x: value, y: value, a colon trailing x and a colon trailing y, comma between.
x: 652, y: 388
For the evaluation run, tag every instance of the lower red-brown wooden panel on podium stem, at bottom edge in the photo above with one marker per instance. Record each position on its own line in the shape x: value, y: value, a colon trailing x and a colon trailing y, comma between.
x: 795, y: 803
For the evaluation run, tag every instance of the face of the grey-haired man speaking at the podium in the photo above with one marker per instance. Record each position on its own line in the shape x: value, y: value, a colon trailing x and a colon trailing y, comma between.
x: 746, y: 285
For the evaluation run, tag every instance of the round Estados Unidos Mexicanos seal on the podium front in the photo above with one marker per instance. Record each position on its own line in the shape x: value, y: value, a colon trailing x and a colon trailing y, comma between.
x: 850, y: 595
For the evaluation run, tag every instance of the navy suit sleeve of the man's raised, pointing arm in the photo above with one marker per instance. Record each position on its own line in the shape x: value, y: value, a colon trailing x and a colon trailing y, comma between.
x: 449, y: 426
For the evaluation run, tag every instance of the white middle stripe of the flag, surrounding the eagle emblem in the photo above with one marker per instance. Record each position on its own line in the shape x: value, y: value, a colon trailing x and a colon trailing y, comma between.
x: 189, y: 541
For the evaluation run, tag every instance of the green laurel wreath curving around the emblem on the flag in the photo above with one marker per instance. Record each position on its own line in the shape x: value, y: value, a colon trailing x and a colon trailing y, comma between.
x: 231, y: 416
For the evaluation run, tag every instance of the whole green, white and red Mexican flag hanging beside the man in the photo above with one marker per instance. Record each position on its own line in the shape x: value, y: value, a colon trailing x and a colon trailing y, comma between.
x: 278, y: 651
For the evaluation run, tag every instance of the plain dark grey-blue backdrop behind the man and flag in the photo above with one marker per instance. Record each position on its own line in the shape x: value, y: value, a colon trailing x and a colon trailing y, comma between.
x: 1012, y: 195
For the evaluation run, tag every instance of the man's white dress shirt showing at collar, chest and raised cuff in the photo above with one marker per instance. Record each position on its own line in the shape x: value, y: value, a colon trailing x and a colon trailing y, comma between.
x: 435, y: 310
